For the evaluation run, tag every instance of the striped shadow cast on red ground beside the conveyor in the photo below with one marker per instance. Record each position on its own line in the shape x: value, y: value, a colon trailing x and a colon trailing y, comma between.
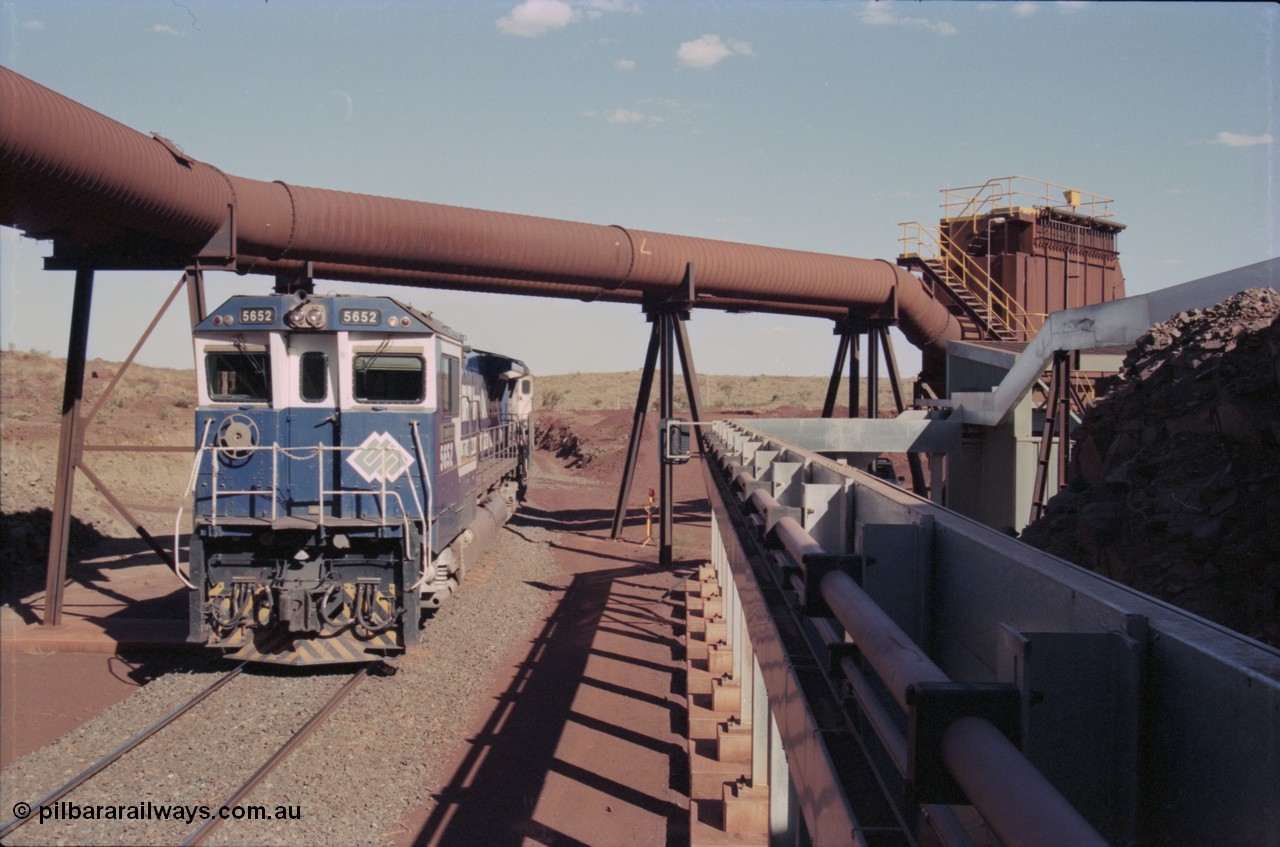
x: 495, y: 796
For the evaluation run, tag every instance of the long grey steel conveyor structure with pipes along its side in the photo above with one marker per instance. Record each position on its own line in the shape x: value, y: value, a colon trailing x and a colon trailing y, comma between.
x: 900, y: 663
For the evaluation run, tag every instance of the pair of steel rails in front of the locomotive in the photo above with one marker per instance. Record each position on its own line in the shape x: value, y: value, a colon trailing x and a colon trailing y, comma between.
x: 214, y: 821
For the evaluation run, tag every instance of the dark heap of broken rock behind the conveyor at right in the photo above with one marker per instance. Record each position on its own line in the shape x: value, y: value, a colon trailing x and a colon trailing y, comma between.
x: 1176, y: 479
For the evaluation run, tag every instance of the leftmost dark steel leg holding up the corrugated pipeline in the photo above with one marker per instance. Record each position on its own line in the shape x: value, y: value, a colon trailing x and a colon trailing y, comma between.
x: 70, y: 443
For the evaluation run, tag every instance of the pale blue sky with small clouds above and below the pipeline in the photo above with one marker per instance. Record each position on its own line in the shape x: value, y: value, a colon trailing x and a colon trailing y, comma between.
x: 808, y: 126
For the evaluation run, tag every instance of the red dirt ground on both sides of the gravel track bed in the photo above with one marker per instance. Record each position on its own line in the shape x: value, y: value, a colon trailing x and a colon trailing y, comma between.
x: 602, y: 718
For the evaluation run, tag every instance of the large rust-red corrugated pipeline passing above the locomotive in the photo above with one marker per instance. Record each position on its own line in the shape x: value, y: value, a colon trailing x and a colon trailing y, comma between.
x: 76, y: 175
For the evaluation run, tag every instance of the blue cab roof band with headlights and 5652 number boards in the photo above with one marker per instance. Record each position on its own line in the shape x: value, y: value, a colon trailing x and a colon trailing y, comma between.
x: 353, y: 313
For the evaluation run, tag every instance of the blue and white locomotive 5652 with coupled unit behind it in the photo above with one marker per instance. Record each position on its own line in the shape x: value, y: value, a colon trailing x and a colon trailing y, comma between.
x: 354, y: 456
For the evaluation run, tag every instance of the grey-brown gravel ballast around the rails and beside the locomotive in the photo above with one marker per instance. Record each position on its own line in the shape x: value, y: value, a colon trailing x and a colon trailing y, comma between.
x: 383, y: 753
